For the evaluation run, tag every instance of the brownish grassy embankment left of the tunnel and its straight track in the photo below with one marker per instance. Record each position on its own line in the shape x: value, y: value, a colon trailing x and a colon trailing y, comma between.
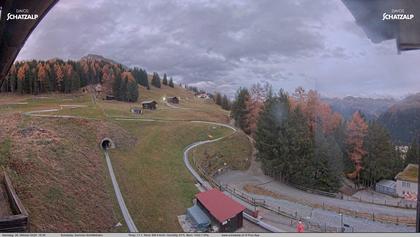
x: 60, y: 174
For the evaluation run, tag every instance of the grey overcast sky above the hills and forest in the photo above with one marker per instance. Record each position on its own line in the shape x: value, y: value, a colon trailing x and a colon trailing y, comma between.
x: 222, y: 45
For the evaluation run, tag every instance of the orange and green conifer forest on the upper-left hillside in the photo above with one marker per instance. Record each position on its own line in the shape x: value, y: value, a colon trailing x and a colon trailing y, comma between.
x: 56, y: 75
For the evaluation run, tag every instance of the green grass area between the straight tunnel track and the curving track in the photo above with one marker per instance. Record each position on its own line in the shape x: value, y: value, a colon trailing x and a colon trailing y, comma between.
x: 154, y: 181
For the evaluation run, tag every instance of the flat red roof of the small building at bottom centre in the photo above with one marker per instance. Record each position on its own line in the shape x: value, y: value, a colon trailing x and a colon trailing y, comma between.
x: 219, y: 205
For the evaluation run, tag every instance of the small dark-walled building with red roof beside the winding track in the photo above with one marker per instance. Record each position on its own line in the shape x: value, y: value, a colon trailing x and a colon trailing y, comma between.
x: 224, y: 211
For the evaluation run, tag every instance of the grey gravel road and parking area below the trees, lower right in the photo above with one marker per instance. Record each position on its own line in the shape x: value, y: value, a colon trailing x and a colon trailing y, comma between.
x: 320, y: 216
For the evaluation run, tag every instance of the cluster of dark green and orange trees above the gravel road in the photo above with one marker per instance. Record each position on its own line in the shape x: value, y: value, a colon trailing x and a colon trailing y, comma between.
x: 301, y: 140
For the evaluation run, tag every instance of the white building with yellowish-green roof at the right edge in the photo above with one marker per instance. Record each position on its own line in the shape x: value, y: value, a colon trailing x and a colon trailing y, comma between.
x: 406, y: 182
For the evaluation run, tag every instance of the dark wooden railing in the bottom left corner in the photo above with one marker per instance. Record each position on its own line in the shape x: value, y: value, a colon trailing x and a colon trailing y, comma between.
x: 19, y: 222
